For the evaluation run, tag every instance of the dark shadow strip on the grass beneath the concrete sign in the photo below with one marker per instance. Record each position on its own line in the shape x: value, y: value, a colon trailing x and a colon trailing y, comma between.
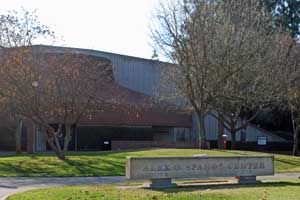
x: 225, y: 186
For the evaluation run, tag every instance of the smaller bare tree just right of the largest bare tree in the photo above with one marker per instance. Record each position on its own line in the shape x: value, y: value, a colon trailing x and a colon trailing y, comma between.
x: 247, y: 92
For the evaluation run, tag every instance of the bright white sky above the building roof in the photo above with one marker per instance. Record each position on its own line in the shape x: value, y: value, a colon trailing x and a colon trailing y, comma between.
x: 118, y: 26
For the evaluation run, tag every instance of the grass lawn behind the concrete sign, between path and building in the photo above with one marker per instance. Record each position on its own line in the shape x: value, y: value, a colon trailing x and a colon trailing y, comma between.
x: 110, y: 163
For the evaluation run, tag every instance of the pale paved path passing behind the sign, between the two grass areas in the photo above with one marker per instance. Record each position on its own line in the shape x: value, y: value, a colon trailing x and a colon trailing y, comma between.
x: 12, y: 185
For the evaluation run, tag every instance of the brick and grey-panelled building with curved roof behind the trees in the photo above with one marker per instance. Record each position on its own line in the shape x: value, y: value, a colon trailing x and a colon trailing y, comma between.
x: 139, y: 78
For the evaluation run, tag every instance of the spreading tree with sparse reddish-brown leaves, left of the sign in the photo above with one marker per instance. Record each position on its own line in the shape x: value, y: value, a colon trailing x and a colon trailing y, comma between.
x: 54, y: 88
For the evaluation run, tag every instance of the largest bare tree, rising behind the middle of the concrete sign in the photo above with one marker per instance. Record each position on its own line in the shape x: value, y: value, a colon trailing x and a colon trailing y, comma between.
x: 214, y: 44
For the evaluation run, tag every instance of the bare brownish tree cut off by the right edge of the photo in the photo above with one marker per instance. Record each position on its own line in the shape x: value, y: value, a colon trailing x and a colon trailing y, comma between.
x: 286, y: 77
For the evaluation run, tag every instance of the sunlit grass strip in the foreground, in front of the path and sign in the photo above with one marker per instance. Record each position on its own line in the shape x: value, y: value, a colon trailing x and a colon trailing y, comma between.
x: 281, y: 190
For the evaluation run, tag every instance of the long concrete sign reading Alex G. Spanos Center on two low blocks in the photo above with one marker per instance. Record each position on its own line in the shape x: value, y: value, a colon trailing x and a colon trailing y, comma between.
x: 162, y: 169
